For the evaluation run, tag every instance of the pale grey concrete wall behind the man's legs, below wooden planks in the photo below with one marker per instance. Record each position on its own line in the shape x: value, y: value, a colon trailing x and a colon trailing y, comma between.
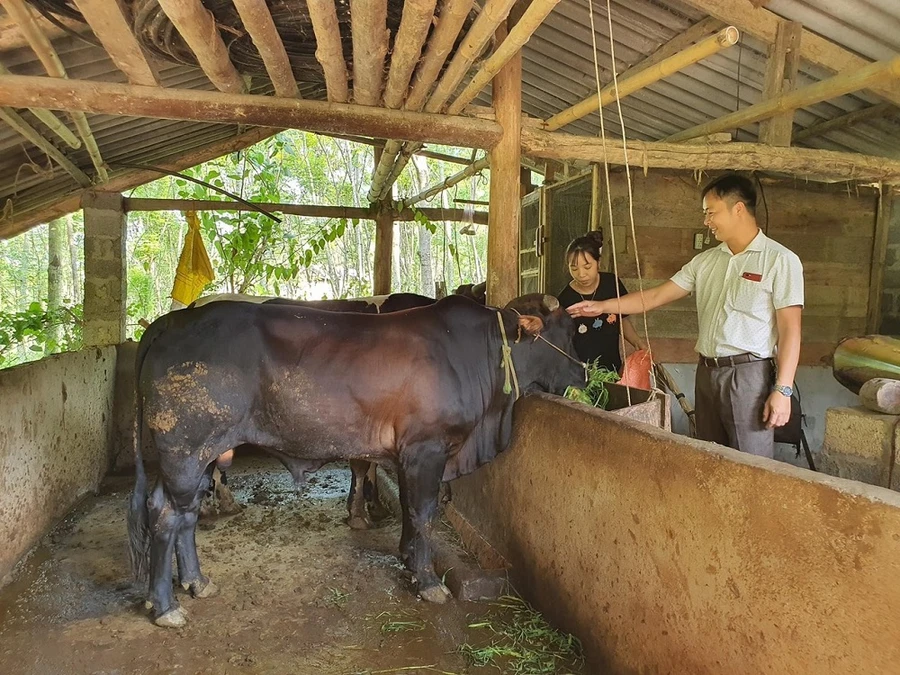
x: 819, y: 391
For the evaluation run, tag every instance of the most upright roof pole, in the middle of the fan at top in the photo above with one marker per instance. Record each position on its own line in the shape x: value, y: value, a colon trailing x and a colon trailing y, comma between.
x: 368, y: 26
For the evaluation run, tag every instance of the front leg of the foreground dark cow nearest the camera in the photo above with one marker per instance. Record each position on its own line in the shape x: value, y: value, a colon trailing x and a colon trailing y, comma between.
x: 421, y: 470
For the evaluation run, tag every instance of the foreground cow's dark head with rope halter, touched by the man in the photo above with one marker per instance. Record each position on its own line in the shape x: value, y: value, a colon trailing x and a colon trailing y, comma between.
x: 545, y: 356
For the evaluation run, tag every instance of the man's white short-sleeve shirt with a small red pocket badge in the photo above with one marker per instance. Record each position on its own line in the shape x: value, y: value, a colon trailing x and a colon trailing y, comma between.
x: 737, y: 295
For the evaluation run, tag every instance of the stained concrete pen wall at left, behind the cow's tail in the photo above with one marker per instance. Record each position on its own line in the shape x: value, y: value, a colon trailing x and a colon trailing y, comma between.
x: 55, y: 442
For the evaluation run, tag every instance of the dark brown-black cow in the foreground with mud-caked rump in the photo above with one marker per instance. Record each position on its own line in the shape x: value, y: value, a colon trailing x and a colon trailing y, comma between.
x: 424, y: 388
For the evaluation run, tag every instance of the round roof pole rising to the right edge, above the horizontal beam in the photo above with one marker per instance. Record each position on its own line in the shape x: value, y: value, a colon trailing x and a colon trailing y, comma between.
x: 864, y: 78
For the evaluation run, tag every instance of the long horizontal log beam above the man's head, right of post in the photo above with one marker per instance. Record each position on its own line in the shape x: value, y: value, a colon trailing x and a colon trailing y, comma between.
x: 819, y: 165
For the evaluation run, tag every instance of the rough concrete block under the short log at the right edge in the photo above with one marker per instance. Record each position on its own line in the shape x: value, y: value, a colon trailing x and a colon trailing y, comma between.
x: 859, y: 444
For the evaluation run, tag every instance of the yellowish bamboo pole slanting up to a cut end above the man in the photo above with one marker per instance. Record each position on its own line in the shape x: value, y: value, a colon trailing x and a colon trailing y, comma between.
x: 645, y: 77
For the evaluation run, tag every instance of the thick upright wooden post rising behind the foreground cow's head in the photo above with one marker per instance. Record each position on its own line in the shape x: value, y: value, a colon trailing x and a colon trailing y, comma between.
x: 505, y: 205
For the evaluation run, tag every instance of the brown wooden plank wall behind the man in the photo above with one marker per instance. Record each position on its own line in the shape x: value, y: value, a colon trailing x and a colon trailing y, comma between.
x: 830, y: 227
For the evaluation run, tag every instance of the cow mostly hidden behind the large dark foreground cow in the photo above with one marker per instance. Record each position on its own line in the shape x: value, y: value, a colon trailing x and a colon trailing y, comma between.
x: 363, y: 499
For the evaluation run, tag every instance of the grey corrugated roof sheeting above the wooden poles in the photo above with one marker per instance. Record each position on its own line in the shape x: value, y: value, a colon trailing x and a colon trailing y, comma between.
x: 558, y: 71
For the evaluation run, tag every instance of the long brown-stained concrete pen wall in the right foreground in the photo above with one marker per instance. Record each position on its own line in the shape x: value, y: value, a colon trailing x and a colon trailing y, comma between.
x: 668, y: 555
